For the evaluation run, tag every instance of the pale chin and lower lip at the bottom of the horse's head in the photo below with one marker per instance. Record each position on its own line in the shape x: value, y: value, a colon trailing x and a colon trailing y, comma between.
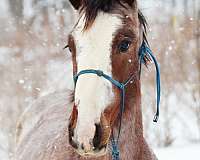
x: 93, y: 154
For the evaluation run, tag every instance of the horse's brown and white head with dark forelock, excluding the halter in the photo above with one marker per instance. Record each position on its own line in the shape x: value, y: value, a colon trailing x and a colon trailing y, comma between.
x: 106, y: 38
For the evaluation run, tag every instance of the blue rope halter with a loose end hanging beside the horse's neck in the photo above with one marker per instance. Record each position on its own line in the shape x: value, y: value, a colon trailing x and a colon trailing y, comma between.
x: 143, y: 51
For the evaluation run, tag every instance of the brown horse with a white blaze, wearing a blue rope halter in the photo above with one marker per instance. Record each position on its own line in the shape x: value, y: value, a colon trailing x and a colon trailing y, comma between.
x: 101, y: 119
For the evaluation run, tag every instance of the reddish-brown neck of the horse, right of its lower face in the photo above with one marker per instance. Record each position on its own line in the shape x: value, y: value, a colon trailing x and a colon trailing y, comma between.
x: 132, y: 144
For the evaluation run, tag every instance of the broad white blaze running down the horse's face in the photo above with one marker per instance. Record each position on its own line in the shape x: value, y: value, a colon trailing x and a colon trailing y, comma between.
x: 93, y: 94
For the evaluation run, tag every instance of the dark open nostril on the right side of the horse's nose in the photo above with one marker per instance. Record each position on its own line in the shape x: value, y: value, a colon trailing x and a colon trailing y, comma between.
x: 97, y: 136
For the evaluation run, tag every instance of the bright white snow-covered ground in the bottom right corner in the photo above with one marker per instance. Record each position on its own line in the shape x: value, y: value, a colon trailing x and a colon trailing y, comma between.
x: 188, y: 152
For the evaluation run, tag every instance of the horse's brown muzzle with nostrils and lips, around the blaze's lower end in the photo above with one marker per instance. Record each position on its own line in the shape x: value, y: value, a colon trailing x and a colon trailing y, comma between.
x: 92, y: 147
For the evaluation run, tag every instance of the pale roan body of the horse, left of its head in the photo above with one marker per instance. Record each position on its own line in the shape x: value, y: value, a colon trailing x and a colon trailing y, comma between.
x: 47, y: 138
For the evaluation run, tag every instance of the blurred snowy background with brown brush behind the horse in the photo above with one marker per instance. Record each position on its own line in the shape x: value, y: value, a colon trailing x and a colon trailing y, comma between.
x: 33, y: 64
